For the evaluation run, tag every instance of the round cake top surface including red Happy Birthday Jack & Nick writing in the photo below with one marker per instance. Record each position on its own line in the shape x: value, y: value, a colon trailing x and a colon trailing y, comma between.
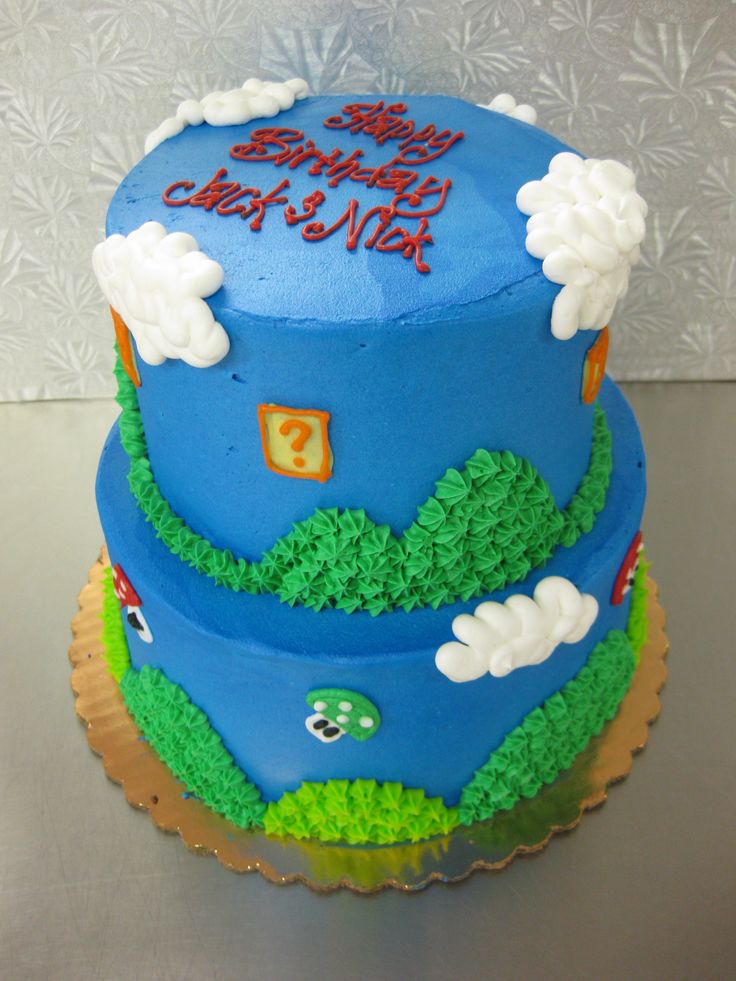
x: 460, y: 190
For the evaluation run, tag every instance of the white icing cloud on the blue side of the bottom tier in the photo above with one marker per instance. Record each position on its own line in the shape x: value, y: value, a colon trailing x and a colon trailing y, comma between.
x: 501, y: 637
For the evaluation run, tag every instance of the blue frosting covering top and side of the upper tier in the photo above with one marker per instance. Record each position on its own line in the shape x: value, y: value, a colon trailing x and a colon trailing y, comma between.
x: 417, y: 371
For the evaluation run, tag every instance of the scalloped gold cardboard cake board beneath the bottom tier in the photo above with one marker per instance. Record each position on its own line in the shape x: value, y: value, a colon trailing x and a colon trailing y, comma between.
x: 149, y: 785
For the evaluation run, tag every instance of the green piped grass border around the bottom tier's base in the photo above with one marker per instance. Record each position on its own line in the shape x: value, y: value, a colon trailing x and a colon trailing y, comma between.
x: 363, y: 811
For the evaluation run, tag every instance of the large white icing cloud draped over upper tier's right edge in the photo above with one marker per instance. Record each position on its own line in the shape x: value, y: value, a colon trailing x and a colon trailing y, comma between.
x: 586, y: 224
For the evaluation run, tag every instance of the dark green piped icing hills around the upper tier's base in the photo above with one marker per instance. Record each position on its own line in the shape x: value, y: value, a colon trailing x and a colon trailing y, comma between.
x: 487, y: 526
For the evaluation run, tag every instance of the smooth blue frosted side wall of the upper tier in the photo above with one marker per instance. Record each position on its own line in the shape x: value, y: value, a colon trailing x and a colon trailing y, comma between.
x: 405, y: 403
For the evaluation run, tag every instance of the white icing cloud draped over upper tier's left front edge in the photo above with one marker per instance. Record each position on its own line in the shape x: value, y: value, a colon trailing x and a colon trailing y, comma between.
x: 157, y: 283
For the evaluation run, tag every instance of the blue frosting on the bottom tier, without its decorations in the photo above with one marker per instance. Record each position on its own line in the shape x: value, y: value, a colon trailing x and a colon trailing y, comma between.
x: 250, y: 663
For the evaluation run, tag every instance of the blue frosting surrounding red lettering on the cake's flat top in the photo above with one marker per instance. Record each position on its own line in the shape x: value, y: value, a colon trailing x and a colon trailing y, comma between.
x: 478, y: 249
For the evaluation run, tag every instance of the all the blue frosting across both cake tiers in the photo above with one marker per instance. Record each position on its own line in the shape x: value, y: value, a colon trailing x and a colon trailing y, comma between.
x: 417, y: 371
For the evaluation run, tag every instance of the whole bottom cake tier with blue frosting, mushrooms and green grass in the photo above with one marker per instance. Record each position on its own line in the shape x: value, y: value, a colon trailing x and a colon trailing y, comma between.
x: 237, y: 692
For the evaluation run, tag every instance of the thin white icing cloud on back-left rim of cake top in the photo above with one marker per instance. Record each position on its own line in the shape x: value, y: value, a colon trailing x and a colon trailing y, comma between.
x: 255, y: 100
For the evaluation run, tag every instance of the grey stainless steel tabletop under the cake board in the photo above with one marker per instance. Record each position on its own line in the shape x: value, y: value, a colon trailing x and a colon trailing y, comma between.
x: 644, y: 888
